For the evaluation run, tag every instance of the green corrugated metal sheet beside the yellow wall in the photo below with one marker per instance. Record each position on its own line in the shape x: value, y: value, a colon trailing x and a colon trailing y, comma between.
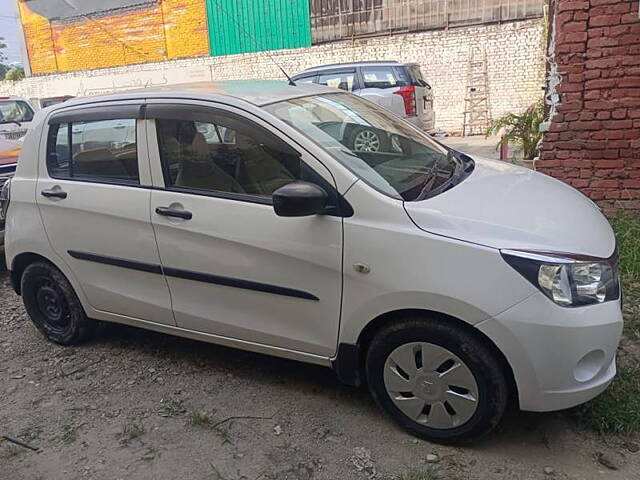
x: 241, y: 26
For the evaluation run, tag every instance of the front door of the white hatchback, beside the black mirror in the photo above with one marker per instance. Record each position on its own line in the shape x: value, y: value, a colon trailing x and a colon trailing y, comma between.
x: 234, y: 268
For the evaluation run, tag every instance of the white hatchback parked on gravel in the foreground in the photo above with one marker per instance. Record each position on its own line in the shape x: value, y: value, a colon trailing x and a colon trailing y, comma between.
x: 236, y: 214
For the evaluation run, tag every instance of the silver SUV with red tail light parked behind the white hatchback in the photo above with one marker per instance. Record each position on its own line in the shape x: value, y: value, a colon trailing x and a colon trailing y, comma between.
x: 399, y: 87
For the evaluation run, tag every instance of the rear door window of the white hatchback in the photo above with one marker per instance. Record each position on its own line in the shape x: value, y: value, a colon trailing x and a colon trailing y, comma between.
x: 100, y: 151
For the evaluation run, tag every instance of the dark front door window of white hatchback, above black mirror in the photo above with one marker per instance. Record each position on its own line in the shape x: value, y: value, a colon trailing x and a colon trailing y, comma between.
x: 225, y: 154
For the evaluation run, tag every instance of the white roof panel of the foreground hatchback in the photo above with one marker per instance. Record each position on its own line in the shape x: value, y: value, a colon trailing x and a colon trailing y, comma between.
x: 257, y: 92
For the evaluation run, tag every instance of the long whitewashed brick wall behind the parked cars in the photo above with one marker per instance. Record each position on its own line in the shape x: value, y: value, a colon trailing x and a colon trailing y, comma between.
x: 514, y: 54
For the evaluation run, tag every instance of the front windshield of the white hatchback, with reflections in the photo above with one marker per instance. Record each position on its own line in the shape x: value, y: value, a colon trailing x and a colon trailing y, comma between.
x: 381, y: 149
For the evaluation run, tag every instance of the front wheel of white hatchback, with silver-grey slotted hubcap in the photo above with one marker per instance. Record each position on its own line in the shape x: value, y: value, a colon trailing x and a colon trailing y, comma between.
x: 438, y: 381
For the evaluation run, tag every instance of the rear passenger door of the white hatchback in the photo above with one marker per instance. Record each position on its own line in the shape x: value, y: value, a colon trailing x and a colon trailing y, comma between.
x: 93, y: 193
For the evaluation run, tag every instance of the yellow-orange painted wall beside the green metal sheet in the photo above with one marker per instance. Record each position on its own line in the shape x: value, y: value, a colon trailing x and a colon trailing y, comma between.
x: 167, y: 30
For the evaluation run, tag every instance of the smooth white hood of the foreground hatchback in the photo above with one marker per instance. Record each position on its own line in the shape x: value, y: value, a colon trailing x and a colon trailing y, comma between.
x: 508, y: 207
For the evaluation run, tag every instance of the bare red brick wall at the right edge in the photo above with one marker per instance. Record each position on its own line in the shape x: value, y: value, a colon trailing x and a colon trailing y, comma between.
x: 593, y: 139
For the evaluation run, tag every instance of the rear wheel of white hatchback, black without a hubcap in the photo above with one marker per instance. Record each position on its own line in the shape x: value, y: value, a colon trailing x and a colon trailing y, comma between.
x: 53, y: 305
